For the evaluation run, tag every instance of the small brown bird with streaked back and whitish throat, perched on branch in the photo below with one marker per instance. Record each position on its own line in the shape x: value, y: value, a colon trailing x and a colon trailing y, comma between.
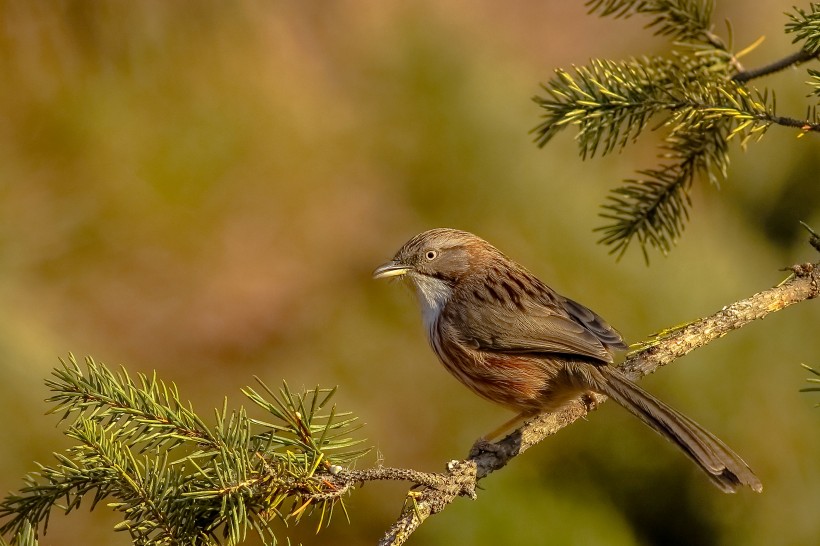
x: 513, y: 340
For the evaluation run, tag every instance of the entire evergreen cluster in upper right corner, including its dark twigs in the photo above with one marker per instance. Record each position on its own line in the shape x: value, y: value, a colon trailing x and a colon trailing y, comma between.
x: 699, y: 96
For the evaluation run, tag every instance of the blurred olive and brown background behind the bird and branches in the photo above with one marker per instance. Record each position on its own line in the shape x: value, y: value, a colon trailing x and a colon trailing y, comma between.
x: 203, y: 189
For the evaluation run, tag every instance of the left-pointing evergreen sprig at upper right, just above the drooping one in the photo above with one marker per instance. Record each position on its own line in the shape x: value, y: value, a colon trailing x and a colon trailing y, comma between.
x: 612, y: 102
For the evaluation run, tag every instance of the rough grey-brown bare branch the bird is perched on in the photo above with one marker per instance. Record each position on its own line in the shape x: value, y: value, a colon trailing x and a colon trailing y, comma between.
x: 433, y: 492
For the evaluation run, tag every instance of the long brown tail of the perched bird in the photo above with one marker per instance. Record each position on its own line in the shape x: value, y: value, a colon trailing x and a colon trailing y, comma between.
x: 723, y: 466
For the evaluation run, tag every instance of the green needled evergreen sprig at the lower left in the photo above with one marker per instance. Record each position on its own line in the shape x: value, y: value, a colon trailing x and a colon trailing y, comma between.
x: 176, y: 479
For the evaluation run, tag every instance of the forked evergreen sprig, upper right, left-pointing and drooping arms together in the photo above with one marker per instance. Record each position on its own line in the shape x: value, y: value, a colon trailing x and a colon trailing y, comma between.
x: 612, y: 103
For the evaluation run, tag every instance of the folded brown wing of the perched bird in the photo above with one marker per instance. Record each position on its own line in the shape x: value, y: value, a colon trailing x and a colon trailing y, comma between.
x: 537, y: 323
